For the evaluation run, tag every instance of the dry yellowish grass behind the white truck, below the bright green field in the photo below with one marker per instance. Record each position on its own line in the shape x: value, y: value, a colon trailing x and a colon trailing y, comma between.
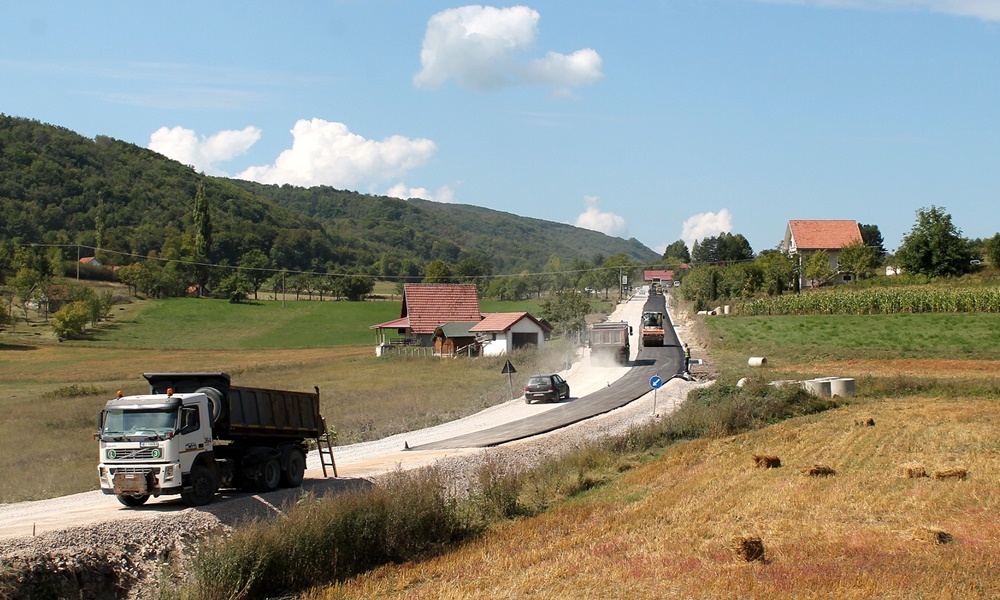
x: 51, y: 394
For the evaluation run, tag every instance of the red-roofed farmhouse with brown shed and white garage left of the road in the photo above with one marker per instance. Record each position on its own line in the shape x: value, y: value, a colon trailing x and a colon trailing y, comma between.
x: 447, y: 318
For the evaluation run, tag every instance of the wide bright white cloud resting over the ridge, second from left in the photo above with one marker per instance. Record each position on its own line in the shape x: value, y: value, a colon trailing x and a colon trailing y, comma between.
x: 327, y: 153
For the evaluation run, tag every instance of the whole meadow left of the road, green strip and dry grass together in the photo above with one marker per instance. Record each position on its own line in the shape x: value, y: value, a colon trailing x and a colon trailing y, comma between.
x: 51, y: 392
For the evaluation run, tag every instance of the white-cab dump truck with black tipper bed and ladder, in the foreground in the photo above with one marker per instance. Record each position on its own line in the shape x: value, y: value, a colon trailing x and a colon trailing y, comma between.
x: 196, y: 433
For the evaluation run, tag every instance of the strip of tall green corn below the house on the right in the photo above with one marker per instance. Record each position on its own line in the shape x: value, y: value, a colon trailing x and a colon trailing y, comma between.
x: 875, y: 301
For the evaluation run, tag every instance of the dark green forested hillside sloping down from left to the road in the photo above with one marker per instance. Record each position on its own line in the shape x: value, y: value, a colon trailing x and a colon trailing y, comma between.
x: 57, y: 187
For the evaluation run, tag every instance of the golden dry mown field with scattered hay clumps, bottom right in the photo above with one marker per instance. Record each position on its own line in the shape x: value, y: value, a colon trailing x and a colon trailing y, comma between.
x: 667, y: 529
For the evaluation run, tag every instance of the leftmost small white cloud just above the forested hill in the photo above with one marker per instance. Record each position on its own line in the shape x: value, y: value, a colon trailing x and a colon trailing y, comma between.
x: 203, y: 153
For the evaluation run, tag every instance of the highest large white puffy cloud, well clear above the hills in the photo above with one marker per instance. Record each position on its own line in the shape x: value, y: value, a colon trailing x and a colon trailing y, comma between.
x: 480, y: 46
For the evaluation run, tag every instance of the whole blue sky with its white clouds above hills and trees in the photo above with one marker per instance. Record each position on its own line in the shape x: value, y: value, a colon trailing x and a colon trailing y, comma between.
x: 668, y: 120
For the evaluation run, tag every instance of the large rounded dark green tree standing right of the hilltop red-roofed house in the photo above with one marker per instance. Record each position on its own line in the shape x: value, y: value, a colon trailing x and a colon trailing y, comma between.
x: 934, y: 247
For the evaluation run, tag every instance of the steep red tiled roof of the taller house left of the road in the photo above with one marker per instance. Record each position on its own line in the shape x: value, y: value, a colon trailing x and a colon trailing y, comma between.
x: 430, y: 304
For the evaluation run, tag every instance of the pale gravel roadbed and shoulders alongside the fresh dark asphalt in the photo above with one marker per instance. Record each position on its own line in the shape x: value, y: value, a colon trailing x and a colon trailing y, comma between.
x: 95, y: 548
